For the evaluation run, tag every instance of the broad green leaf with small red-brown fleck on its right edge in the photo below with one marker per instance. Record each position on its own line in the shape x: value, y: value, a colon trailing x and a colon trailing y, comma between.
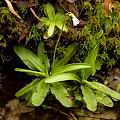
x: 61, y: 94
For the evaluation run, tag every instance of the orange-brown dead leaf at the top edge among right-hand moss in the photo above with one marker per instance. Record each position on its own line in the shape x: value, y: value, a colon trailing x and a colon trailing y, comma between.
x: 107, y: 6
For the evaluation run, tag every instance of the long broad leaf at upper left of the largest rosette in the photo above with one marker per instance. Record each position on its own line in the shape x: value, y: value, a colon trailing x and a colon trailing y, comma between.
x: 29, y: 58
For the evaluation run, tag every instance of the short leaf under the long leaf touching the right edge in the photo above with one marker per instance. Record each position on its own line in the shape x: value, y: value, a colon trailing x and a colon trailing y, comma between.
x: 102, y: 98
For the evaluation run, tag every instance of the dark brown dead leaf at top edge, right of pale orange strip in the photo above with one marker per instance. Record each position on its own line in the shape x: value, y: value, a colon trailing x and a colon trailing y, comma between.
x: 25, y: 4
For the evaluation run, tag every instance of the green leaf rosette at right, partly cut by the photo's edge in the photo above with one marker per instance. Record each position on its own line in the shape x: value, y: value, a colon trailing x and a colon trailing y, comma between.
x: 95, y: 92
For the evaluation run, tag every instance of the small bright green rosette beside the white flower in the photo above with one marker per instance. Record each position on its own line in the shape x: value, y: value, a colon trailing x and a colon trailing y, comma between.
x: 53, y: 20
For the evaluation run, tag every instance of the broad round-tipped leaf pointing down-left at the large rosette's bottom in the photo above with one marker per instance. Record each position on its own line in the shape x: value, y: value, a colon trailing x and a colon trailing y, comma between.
x: 41, y: 92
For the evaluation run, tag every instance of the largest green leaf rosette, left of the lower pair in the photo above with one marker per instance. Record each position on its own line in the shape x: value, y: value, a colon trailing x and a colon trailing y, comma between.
x: 47, y: 77
